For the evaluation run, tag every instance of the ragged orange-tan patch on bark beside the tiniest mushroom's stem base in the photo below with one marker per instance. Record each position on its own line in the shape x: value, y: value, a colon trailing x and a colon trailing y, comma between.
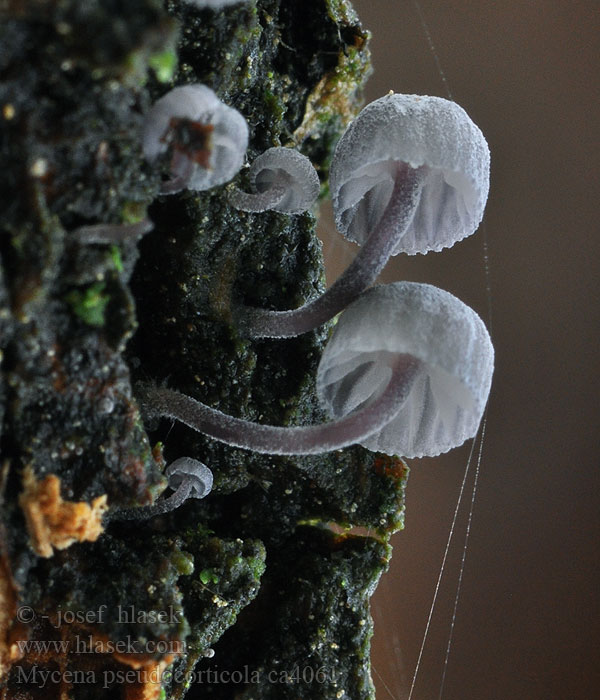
x: 53, y: 522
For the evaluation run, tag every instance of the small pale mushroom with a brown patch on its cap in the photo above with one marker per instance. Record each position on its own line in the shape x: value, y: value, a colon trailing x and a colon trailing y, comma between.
x: 206, y: 139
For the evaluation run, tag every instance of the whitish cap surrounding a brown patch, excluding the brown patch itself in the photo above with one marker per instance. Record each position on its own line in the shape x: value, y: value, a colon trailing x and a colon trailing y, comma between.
x: 228, y: 140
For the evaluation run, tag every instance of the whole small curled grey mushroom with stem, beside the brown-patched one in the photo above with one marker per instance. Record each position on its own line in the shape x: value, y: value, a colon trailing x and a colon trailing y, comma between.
x: 284, y: 180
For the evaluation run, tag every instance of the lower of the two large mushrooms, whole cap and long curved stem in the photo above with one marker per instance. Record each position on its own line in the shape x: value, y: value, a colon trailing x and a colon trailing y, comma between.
x: 407, y: 371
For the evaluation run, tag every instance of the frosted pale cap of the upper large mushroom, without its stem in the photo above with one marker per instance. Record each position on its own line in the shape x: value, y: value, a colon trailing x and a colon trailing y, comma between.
x: 393, y: 135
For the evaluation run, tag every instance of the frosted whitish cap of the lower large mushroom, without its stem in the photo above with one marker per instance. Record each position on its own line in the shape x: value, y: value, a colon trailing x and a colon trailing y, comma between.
x: 450, y: 341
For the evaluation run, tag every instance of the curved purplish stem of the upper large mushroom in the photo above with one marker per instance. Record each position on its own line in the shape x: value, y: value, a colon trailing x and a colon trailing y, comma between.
x: 358, y: 276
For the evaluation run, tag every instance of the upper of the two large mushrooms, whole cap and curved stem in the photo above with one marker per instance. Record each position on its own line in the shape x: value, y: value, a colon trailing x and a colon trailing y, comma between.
x: 410, y: 174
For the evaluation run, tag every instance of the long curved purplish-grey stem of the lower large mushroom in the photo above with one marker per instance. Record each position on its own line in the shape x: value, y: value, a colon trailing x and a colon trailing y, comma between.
x: 370, y: 418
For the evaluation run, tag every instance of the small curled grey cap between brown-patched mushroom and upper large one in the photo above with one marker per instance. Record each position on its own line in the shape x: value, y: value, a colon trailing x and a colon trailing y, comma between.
x: 287, y: 167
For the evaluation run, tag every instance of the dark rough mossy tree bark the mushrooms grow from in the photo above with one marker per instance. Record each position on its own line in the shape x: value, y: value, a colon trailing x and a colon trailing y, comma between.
x: 253, y: 573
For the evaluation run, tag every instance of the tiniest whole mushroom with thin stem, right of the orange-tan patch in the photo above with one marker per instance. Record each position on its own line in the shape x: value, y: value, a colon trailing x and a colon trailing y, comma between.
x: 188, y: 478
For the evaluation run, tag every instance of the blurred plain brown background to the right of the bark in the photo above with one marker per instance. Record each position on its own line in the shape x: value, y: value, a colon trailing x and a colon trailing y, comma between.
x: 527, y: 621
